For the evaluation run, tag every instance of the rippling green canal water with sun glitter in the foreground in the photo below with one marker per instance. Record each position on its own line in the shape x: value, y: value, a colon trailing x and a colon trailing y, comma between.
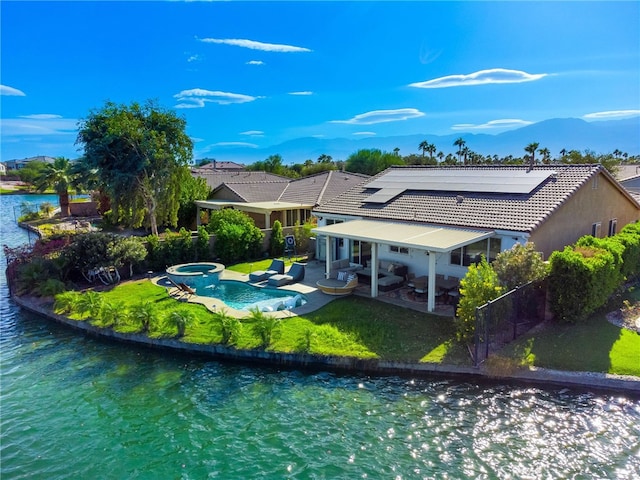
x: 75, y: 407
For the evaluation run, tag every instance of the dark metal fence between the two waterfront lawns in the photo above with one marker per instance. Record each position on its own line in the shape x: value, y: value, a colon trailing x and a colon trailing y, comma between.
x: 504, y: 319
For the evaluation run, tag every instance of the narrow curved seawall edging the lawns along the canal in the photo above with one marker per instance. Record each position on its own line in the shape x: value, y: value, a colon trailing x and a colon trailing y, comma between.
x: 591, y: 381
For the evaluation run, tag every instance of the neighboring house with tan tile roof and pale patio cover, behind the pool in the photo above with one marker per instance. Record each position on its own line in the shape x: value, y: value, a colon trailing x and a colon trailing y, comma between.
x: 270, y: 197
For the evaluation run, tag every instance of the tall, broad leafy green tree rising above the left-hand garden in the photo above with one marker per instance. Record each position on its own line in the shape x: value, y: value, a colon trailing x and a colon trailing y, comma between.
x: 141, y: 153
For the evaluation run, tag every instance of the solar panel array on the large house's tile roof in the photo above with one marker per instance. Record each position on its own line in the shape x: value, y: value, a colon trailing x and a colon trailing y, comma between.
x: 397, y: 181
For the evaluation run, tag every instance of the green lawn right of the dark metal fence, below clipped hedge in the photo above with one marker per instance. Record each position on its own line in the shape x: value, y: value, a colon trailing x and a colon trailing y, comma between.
x: 594, y: 345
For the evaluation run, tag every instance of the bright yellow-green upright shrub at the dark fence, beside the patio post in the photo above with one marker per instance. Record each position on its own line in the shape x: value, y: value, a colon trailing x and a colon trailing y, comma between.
x: 478, y: 286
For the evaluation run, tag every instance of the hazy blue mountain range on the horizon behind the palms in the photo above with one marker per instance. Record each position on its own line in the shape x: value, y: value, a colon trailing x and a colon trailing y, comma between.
x: 555, y: 134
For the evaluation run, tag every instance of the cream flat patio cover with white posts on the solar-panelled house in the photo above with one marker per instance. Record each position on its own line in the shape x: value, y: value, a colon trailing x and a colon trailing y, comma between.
x: 429, y: 239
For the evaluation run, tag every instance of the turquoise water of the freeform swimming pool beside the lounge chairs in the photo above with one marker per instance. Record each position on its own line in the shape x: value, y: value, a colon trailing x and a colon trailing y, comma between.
x: 242, y: 296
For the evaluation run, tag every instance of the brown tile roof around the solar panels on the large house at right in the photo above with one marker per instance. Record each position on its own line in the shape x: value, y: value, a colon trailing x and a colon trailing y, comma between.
x: 508, y: 211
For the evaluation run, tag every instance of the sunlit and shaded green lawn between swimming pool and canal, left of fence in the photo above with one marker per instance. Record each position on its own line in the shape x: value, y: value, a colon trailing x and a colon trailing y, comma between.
x: 353, y: 327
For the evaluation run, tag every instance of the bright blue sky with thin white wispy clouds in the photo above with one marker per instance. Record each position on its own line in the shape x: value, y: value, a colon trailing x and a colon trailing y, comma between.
x: 261, y: 73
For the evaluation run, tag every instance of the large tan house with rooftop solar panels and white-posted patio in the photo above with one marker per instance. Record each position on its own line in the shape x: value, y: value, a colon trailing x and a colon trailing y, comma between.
x: 439, y: 220
